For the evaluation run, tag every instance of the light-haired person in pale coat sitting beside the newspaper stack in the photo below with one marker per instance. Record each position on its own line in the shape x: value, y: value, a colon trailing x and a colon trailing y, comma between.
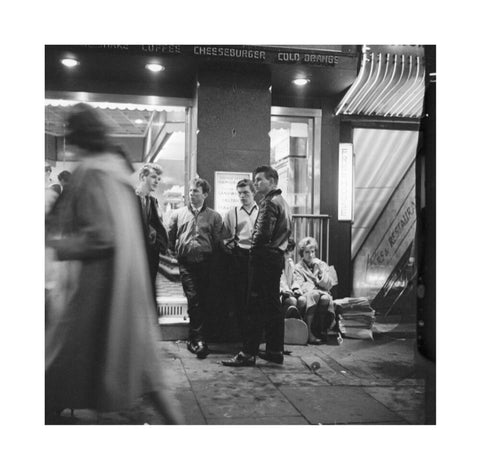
x: 315, y: 279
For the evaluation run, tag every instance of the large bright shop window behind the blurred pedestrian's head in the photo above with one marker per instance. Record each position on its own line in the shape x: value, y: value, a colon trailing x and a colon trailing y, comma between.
x: 148, y: 133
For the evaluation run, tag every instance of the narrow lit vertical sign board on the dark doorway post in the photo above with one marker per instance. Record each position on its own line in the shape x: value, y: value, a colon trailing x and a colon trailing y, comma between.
x: 345, y: 182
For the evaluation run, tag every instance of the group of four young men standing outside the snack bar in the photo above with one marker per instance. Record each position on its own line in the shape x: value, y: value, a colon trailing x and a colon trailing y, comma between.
x: 255, y: 237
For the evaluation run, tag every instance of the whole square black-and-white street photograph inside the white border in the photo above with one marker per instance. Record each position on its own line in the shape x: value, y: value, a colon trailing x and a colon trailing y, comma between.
x: 246, y: 235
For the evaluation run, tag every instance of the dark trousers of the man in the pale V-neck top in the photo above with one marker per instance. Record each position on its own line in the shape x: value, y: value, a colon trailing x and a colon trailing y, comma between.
x: 238, y: 281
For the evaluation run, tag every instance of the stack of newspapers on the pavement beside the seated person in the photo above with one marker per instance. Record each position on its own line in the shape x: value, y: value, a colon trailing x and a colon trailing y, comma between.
x: 355, y: 317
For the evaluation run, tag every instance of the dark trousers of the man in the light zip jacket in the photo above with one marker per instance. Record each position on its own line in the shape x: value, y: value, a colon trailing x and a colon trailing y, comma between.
x: 195, y: 282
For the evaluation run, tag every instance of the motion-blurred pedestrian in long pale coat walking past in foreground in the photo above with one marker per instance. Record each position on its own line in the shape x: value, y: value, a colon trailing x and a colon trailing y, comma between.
x: 102, y: 340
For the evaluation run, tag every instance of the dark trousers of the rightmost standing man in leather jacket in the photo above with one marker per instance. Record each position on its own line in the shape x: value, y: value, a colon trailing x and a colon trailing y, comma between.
x: 264, y: 310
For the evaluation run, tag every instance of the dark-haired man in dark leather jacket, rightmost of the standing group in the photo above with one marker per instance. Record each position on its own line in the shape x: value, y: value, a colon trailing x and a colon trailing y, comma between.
x: 269, y: 241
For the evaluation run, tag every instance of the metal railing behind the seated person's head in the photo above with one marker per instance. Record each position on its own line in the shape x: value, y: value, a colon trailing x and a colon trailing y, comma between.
x: 316, y: 226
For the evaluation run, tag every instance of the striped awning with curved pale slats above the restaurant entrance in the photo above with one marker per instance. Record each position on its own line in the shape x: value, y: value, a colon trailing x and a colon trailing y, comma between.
x: 387, y: 85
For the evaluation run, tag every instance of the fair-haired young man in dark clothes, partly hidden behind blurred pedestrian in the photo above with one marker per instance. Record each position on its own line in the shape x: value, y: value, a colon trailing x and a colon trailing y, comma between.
x: 155, y: 232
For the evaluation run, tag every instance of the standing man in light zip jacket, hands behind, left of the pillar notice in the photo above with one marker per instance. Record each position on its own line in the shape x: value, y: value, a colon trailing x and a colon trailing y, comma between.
x: 194, y: 233
